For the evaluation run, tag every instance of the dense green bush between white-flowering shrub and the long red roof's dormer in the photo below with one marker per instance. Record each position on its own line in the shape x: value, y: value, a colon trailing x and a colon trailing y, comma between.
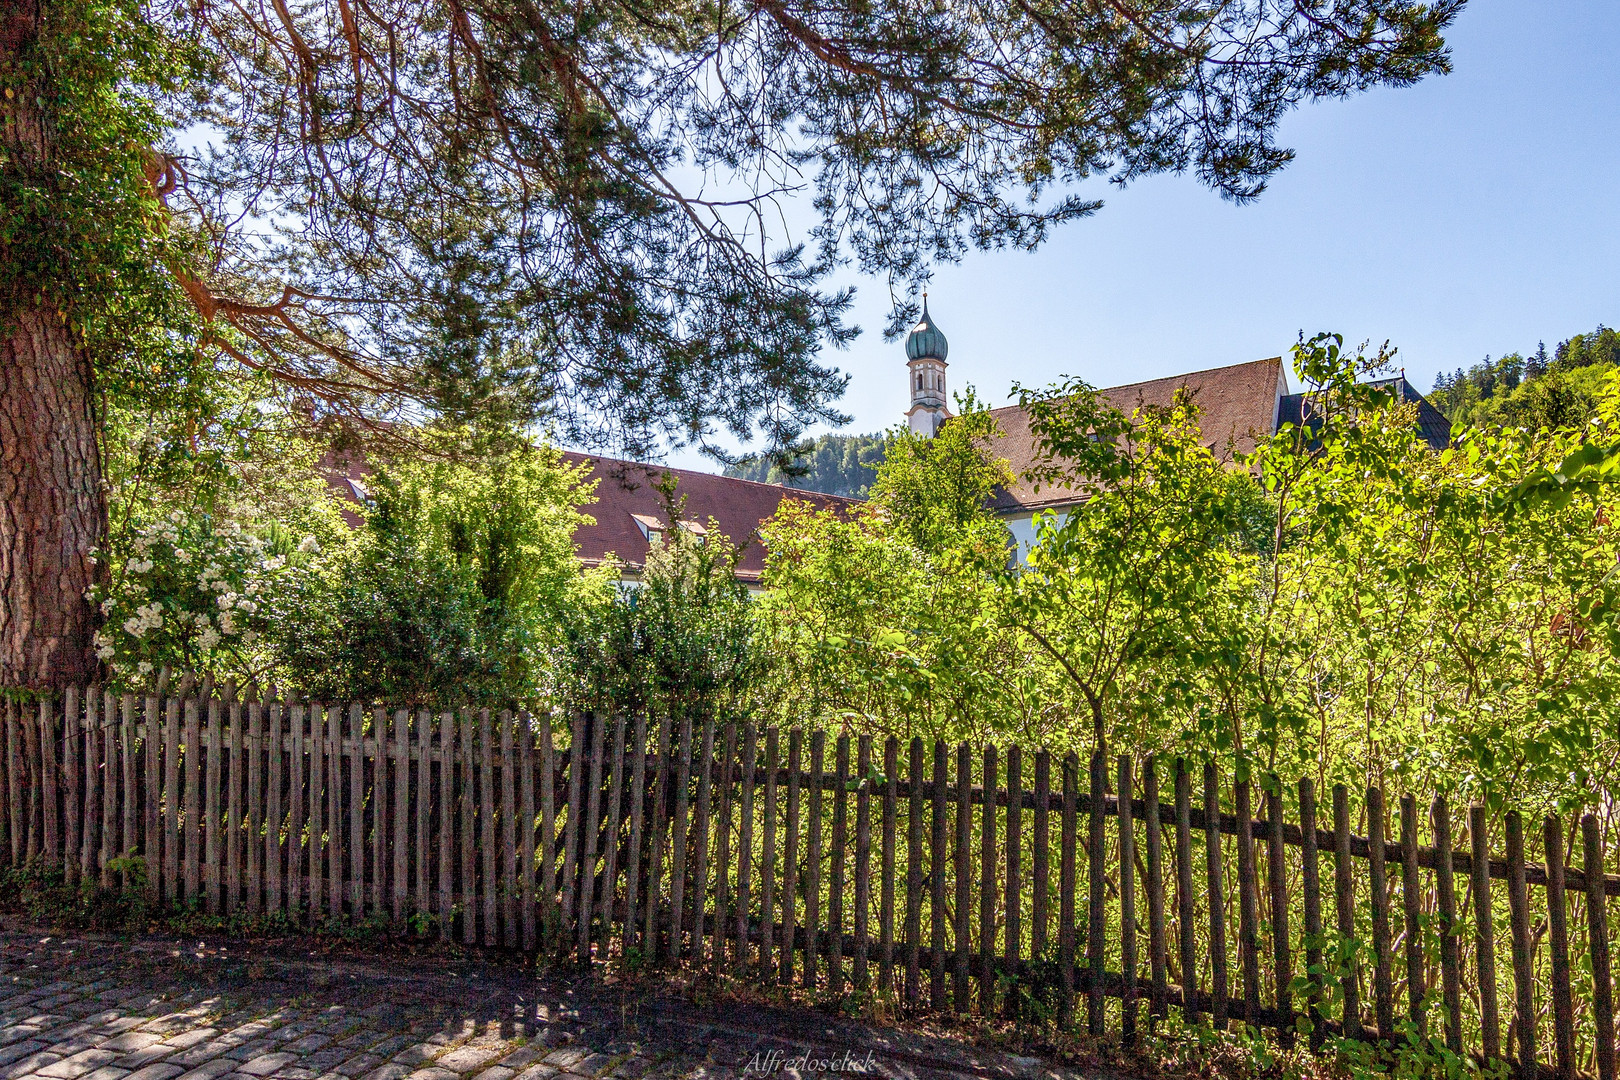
x: 456, y: 592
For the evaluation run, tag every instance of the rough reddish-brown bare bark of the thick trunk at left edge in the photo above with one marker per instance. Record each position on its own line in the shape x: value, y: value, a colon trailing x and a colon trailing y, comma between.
x: 53, y: 506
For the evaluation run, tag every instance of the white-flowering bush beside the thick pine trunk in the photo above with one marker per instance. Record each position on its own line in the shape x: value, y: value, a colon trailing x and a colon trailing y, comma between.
x: 189, y: 593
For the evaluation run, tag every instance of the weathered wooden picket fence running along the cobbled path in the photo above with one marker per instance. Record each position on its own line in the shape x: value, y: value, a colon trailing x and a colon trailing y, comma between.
x: 720, y: 848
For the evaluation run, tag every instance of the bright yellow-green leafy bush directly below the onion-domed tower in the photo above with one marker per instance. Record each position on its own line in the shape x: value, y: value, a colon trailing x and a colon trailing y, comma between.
x: 885, y: 616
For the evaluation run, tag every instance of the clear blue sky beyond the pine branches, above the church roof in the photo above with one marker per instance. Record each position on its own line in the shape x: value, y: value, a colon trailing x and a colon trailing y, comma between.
x: 1467, y: 216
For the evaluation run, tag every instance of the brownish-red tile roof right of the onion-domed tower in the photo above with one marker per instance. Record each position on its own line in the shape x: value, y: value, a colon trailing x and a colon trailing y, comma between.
x: 1238, y: 404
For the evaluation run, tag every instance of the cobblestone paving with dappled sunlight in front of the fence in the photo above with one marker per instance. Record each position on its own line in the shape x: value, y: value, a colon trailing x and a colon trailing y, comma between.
x: 145, y: 1010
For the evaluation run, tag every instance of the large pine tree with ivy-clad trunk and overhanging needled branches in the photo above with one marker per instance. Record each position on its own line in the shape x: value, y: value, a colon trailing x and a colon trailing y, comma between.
x: 518, y: 213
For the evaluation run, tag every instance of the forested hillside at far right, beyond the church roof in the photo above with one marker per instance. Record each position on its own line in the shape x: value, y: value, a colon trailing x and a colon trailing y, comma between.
x: 1535, y: 391
